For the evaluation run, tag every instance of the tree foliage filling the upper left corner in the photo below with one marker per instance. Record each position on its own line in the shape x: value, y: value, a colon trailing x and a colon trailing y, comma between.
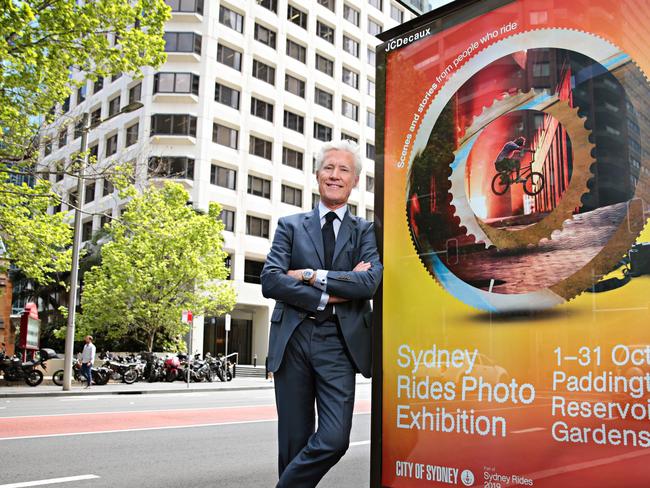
x: 43, y: 43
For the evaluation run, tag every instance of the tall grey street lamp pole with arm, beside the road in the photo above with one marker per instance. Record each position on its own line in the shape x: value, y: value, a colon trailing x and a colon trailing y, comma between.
x: 76, y: 241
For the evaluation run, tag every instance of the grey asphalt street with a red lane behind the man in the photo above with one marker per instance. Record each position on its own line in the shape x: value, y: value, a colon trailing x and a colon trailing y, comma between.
x: 197, y: 439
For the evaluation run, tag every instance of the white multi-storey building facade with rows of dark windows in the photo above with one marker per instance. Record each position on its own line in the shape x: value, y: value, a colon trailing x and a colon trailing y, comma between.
x: 249, y: 92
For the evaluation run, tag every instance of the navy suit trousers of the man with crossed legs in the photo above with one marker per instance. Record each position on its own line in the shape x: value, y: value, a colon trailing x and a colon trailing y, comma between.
x: 316, y: 369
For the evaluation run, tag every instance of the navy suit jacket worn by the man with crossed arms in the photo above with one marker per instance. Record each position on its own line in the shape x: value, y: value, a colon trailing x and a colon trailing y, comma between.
x: 298, y: 244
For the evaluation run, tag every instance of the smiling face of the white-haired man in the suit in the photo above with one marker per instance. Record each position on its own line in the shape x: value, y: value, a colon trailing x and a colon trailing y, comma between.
x: 336, y: 178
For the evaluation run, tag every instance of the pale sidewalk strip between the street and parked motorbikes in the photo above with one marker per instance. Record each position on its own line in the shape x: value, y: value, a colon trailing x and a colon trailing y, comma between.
x: 139, y: 388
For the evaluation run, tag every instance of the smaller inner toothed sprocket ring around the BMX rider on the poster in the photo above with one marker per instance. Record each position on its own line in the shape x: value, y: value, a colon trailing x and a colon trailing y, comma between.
x: 582, y: 161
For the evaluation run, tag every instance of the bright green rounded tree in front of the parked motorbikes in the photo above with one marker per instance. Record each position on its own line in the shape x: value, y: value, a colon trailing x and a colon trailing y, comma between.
x: 163, y: 257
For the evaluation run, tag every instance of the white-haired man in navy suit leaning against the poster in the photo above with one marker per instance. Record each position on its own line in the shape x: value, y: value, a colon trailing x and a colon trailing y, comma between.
x: 322, y: 270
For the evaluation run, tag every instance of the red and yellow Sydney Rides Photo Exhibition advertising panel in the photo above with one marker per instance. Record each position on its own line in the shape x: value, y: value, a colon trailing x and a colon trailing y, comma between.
x: 514, y: 197
